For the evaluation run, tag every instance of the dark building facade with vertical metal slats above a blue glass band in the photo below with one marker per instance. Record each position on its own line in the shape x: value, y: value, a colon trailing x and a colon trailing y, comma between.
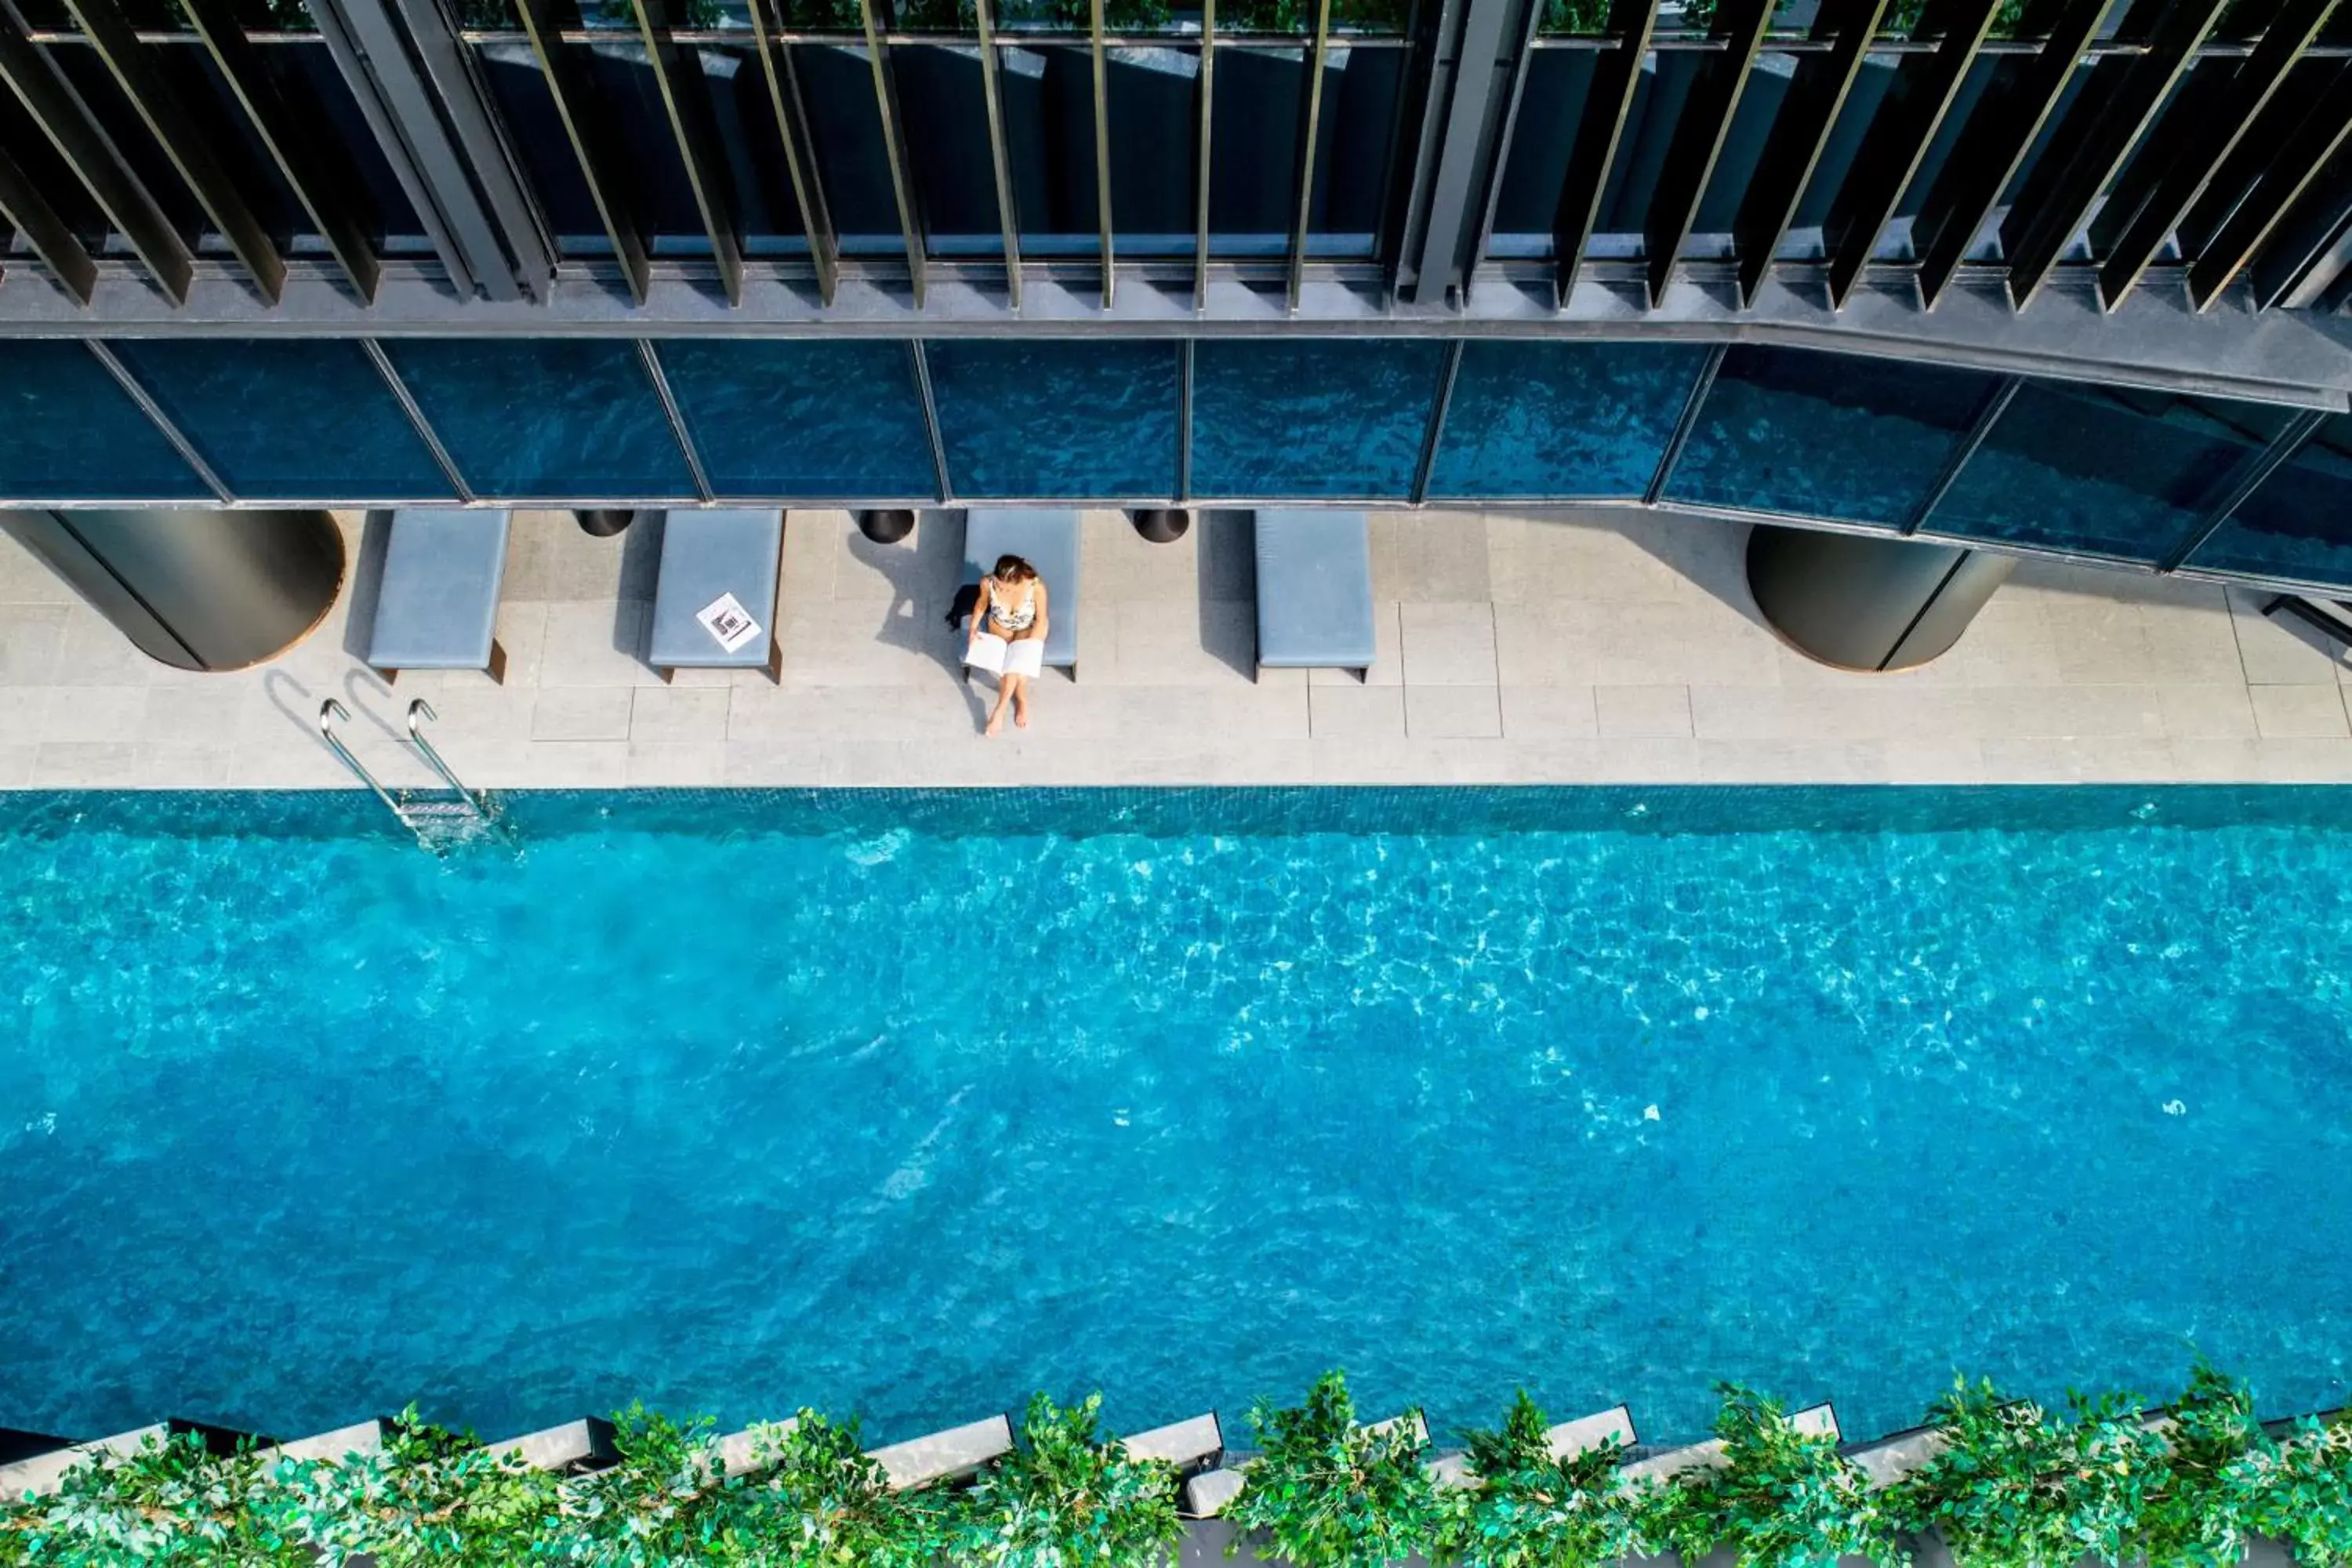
x: 2050, y: 276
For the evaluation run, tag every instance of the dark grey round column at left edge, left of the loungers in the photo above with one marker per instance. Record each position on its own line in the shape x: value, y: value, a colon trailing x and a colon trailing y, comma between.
x: 196, y: 589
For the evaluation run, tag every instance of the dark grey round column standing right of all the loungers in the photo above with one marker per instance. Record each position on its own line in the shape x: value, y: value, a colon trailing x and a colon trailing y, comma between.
x: 1869, y: 603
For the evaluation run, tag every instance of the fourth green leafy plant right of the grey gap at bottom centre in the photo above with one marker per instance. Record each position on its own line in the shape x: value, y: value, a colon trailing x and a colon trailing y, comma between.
x: 2024, y: 1489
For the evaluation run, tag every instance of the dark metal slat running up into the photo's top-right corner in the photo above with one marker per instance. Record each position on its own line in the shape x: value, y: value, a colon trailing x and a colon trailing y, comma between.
x: 2134, y: 225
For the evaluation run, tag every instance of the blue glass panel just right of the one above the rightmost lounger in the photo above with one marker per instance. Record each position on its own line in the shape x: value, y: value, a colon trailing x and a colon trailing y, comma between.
x: 1563, y: 420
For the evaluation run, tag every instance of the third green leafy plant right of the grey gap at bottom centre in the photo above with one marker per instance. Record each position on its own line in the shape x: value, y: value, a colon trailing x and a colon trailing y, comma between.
x: 1782, y: 1499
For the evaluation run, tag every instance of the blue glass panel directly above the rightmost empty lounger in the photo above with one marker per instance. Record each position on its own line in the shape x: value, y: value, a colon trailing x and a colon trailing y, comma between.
x: 1311, y: 417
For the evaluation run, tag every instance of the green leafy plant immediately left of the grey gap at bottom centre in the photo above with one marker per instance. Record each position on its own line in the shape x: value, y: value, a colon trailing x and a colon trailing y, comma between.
x: 1069, y: 1496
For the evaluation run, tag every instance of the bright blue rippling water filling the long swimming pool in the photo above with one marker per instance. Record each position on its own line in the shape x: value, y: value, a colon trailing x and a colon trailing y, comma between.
x: 918, y: 1104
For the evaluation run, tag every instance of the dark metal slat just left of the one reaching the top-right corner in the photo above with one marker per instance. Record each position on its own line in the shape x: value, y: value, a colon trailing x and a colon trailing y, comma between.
x: 2066, y: 185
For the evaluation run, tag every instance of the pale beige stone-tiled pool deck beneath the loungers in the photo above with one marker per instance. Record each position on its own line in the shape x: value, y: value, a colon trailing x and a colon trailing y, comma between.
x: 1516, y: 648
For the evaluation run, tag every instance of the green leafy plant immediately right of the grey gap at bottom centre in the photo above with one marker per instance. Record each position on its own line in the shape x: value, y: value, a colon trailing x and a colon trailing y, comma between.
x: 1332, y: 1494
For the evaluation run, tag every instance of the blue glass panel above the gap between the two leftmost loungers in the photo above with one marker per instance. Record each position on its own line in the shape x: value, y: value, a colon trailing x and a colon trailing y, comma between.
x: 544, y: 417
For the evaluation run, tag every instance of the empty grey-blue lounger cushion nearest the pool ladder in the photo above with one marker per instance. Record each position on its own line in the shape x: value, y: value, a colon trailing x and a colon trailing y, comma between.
x: 439, y: 598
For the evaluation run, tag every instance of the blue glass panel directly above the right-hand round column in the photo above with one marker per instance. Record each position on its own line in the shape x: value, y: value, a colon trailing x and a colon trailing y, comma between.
x: 1826, y: 436
